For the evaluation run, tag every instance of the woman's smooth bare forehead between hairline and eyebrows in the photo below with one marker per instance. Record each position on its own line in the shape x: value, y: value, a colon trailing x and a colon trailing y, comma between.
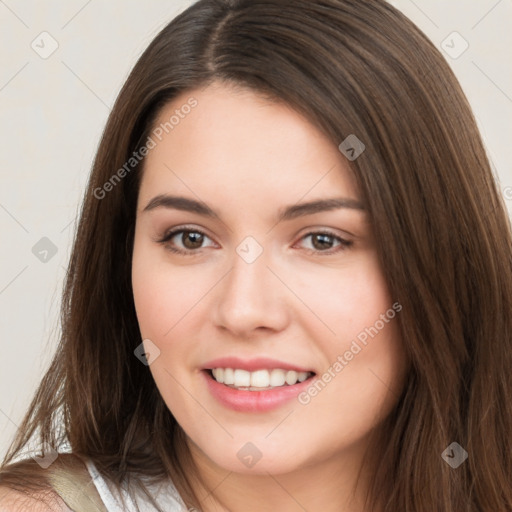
x: 234, y: 143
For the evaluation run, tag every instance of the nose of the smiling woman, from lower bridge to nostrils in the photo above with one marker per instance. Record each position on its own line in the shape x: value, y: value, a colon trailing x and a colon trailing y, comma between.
x: 251, y: 299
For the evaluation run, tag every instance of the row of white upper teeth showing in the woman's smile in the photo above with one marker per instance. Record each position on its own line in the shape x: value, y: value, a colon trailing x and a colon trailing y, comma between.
x: 258, y: 379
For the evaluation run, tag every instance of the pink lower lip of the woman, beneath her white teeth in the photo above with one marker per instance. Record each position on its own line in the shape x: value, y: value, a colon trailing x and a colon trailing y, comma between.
x: 254, y: 401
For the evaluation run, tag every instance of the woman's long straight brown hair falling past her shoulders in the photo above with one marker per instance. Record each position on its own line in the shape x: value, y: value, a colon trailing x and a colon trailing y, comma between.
x: 352, y: 67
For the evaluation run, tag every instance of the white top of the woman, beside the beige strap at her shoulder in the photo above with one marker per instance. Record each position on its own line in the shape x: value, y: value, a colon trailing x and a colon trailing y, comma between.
x: 165, y: 495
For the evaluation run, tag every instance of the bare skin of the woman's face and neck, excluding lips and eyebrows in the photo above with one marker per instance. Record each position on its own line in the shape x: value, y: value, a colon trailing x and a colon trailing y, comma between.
x: 247, y: 159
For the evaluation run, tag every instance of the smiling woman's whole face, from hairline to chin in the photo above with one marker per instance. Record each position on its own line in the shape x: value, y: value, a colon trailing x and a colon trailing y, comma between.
x: 268, y: 276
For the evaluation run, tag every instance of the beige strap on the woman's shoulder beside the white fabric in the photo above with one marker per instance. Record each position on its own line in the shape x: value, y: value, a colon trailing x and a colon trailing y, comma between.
x: 76, y: 487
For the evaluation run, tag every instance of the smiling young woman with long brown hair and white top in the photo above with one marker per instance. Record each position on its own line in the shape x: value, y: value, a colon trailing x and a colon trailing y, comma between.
x: 290, y: 287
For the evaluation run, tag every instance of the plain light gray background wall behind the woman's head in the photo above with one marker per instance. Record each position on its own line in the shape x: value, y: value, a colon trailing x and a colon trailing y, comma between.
x: 53, y: 111
